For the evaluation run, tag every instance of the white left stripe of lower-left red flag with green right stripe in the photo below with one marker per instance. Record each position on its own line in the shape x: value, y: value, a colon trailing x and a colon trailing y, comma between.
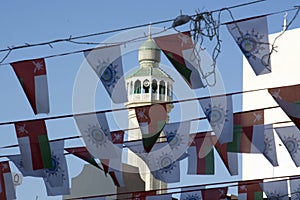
x: 24, y: 144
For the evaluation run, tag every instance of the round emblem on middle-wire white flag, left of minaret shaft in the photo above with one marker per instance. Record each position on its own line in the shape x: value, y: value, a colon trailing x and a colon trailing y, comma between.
x: 97, y: 135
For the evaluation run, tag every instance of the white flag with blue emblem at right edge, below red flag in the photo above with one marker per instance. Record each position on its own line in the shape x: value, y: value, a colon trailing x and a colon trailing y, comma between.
x: 290, y: 136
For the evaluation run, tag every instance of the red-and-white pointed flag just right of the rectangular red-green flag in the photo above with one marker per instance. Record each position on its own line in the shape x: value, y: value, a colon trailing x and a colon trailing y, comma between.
x: 229, y: 159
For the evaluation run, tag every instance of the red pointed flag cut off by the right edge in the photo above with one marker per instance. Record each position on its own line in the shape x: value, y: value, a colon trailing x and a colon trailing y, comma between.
x: 288, y: 98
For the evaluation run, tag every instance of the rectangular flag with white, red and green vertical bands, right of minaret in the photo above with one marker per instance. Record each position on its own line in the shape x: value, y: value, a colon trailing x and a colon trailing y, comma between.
x: 201, y: 154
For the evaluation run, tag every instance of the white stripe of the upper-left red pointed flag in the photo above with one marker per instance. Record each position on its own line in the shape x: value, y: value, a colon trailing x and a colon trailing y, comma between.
x: 41, y: 94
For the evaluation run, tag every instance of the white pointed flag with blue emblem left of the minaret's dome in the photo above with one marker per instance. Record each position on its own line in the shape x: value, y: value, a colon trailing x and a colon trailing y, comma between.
x: 107, y: 63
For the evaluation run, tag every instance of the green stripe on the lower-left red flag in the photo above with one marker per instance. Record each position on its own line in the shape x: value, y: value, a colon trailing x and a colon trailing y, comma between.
x: 45, y: 151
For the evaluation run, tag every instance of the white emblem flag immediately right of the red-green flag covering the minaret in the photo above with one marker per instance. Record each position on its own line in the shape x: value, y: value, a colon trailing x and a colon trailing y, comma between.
x: 177, y: 135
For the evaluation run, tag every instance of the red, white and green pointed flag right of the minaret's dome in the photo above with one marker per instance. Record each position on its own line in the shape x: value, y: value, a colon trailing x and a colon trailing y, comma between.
x: 179, y: 49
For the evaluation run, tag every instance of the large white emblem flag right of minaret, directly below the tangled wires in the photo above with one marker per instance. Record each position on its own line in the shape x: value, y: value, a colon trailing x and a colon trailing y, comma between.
x: 218, y: 111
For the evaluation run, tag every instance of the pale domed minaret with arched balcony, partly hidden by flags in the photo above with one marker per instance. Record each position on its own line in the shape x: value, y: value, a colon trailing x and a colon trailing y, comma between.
x: 147, y: 85
